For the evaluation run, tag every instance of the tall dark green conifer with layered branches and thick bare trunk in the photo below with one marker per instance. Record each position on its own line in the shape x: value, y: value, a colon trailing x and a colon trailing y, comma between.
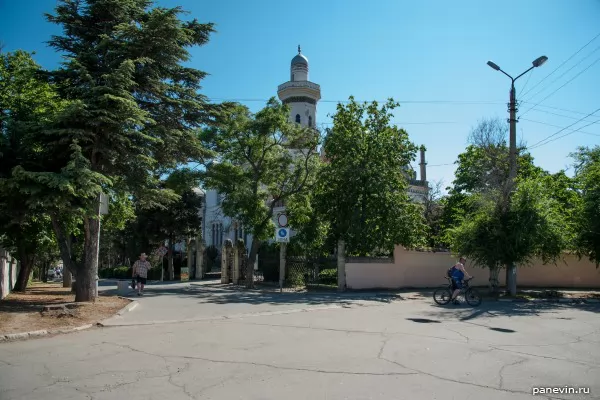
x: 135, y: 111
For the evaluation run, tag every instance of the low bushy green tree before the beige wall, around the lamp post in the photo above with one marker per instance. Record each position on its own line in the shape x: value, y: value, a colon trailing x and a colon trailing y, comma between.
x: 533, y: 226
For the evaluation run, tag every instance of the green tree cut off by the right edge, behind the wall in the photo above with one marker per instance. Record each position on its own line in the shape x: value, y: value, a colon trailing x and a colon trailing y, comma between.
x: 587, y: 178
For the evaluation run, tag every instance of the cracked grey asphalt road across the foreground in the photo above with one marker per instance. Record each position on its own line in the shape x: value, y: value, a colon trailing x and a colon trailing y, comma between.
x: 203, y: 342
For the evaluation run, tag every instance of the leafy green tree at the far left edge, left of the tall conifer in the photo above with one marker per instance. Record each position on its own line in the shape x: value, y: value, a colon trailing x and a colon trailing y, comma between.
x: 27, y: 104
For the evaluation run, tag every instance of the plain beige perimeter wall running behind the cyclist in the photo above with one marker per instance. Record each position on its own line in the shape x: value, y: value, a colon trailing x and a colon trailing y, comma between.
x: 414, y: 269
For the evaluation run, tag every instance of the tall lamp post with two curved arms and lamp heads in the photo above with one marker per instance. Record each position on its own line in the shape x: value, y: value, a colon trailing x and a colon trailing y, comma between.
x: 511, y: 271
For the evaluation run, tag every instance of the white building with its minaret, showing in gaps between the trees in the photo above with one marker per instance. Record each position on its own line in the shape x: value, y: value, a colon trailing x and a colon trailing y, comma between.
x: 302, y: 96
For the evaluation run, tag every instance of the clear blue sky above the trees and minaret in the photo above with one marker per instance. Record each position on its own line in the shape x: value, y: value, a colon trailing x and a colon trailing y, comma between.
x: 429, y: 55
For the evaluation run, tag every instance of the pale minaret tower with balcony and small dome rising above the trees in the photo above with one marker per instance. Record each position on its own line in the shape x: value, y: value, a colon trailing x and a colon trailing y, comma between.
x: 299, y: 93
